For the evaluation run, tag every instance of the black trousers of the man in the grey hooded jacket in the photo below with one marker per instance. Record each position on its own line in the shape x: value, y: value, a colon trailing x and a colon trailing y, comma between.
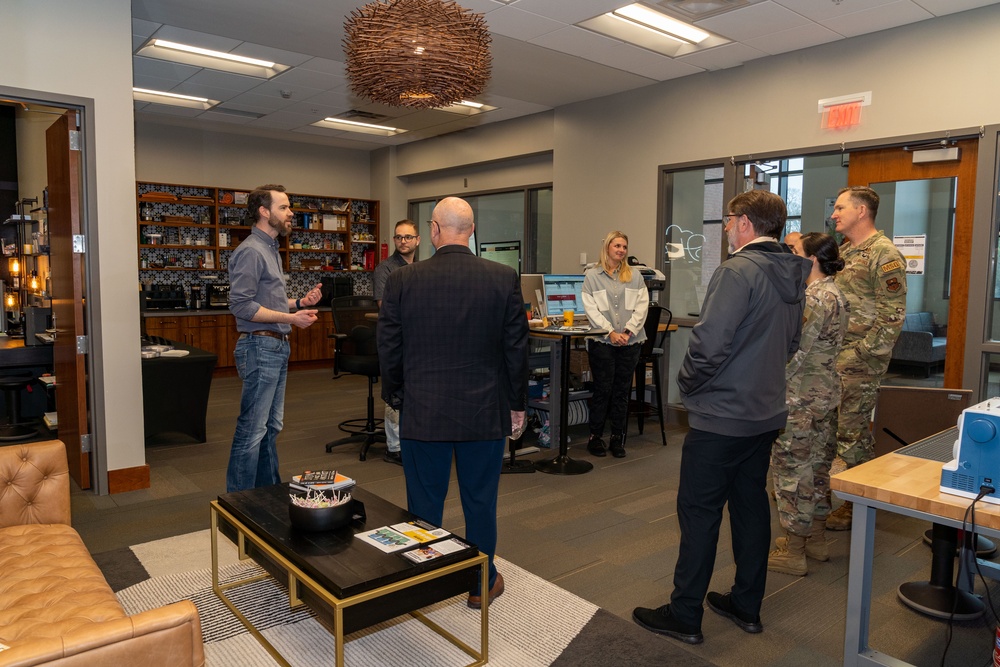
x: 715, y: 470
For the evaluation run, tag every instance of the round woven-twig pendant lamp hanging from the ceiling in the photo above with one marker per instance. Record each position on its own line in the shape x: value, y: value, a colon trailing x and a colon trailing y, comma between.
x: 417, y: 53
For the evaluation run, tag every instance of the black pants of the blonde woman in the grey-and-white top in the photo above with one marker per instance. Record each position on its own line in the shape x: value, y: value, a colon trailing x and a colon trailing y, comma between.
x: 612, y: 367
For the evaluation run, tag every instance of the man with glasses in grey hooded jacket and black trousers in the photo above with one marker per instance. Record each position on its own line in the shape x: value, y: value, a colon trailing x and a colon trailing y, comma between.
x: 732, y: 383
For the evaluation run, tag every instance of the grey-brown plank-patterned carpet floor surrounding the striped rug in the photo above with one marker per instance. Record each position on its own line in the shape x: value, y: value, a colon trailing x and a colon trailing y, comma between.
x: 609, y: 536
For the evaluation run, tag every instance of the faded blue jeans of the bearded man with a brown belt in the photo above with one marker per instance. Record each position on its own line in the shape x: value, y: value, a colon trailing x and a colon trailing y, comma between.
x: 262, y: 363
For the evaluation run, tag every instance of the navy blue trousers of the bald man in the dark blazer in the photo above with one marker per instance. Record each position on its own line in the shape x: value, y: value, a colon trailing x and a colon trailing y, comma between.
x: 427, y: 466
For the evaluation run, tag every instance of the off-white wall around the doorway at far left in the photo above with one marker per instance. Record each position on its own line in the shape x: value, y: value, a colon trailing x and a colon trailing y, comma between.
x: 83, y: 49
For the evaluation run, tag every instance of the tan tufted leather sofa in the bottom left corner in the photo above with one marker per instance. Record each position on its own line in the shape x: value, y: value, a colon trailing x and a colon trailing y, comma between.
x: 55, y: 605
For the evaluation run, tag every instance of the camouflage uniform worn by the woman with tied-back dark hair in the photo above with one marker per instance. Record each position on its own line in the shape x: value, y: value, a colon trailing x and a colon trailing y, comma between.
x: 801, y: 456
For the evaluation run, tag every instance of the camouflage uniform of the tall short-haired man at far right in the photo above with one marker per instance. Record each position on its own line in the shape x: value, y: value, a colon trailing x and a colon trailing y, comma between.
x: 874, y: 282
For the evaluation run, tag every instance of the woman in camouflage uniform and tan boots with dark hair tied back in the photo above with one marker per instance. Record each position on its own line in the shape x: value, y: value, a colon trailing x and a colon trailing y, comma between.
x: 802, y: 455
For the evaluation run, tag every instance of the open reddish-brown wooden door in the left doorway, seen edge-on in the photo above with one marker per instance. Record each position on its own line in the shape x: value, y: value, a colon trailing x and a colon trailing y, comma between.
x: 63, y: 164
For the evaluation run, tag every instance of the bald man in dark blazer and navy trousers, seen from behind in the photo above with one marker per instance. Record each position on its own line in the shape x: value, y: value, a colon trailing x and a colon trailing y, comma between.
x: 452, y: 344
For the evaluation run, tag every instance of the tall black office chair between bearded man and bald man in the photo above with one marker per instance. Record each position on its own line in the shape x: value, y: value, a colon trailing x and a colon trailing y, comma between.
x: 355, y: 352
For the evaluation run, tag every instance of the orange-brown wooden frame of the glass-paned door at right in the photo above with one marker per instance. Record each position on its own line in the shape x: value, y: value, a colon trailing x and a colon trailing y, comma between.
x: 896, y: 164
